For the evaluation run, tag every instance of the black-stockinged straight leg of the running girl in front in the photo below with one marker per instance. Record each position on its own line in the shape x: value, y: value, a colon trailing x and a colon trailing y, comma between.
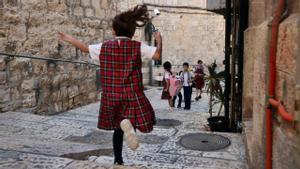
x: 118, y: 145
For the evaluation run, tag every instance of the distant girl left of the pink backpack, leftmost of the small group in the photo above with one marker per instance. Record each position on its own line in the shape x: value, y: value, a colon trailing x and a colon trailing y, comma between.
x: 166, y: 84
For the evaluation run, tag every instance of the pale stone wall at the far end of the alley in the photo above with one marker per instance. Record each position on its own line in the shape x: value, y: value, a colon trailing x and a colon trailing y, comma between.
x: 190, y: 32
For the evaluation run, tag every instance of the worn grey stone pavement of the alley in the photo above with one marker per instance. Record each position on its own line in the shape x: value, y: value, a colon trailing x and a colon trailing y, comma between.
x: 71, y: 140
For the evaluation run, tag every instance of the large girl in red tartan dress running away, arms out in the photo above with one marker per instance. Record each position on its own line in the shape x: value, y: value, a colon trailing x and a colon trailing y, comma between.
x: 124, y: 106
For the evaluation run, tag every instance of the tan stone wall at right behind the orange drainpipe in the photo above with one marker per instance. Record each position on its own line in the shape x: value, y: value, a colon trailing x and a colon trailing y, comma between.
x: 286, y: 145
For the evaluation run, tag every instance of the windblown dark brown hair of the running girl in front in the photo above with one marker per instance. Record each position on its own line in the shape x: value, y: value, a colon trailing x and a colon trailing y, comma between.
x: 125, y: 23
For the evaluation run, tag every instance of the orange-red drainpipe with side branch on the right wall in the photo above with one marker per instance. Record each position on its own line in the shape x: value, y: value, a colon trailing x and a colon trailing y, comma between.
x: 272, y: 79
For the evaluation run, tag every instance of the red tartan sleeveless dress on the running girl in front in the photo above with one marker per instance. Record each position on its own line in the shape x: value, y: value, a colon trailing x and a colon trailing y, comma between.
x: 122, y: 86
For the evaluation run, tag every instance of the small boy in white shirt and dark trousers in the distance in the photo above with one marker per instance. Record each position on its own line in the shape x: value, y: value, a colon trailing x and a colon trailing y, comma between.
x: 187, y: 77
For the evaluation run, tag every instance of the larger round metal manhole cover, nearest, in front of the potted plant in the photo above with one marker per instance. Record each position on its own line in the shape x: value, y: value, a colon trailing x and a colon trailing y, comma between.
x: 204, y: 142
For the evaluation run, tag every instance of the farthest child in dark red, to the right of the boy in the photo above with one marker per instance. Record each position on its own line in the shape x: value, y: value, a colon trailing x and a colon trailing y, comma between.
x: 199, y: 79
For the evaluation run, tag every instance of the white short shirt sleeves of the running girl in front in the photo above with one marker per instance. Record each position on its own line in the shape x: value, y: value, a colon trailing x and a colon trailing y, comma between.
x: 147, y: 52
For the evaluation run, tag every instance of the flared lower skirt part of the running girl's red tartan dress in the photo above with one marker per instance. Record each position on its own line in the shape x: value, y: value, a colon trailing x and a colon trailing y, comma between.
x: 133, y: 106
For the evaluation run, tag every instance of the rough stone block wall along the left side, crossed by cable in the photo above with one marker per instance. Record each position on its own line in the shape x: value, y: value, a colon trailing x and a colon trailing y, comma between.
x: 30, y: 27
